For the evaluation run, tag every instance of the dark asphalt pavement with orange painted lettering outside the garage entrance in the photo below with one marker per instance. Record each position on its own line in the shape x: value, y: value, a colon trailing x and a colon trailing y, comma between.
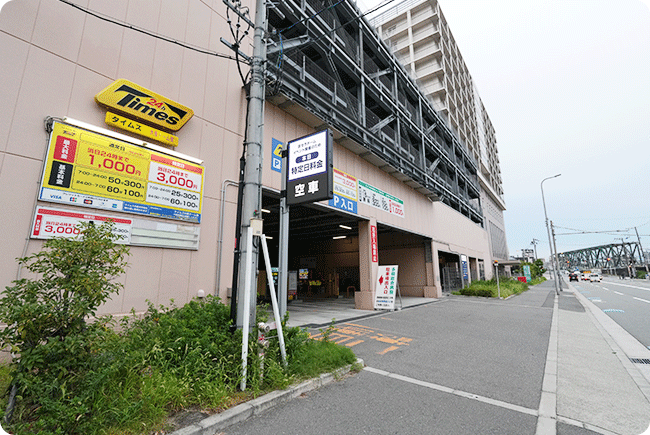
x: 456, y: 367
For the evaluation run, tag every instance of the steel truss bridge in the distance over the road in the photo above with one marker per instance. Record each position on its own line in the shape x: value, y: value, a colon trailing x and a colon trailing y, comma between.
x: 619, y: 256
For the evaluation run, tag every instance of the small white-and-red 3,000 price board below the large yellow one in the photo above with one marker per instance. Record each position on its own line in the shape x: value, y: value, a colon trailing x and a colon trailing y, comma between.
x: 50, y: 222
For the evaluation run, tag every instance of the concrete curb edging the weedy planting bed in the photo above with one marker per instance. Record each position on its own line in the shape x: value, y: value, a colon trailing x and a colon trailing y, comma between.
x: 244, y: 411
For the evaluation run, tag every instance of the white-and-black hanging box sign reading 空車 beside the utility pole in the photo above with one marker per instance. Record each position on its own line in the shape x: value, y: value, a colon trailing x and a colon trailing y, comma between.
x: 309, y: 168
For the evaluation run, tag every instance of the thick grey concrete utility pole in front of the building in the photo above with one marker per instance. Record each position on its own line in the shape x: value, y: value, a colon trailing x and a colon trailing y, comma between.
x: 252, y: 197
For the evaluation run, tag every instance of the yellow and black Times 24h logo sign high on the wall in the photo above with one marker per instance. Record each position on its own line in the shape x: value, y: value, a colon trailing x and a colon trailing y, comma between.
x: 134, y: 100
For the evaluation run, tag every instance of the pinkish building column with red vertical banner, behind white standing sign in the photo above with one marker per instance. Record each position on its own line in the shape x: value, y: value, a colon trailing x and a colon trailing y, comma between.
x: 368, y: 264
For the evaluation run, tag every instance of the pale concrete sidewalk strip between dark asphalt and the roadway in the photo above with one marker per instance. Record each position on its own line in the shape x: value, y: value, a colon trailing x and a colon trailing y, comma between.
x: 598, y: 386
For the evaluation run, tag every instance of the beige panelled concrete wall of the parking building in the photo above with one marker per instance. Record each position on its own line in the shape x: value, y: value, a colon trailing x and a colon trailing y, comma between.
x: 57, y: 58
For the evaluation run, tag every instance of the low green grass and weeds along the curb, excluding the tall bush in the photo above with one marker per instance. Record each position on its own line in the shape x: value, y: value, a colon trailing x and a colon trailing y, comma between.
x: 171, y: 359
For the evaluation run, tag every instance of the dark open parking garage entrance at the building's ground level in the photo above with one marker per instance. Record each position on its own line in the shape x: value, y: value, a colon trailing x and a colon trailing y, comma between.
x: 326, y: 262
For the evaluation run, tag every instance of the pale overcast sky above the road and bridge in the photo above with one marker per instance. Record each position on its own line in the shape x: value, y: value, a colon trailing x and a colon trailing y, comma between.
x: 567, y: 87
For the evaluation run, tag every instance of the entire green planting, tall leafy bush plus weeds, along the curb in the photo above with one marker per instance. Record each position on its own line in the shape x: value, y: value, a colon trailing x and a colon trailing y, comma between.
x: 77, y: 378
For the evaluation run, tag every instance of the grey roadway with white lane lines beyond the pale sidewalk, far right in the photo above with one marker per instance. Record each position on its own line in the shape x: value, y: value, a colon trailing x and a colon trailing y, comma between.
x: 627, y: 302
